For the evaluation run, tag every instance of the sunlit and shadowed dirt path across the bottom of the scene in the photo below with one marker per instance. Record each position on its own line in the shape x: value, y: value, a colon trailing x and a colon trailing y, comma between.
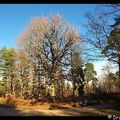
x: 71, y: 111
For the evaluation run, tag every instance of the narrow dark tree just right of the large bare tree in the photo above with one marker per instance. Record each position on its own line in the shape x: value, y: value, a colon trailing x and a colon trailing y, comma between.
x: 77, y: 74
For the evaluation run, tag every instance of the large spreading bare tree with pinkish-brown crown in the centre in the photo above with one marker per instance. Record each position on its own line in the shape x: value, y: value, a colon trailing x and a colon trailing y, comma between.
x: 47, y: 42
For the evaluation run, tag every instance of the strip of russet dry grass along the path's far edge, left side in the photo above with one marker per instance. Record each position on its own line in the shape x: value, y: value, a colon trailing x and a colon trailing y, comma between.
x: 21, y: 103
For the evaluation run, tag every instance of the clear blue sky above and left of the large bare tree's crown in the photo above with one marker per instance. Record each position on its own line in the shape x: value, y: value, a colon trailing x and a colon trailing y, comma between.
x: 14, y: 17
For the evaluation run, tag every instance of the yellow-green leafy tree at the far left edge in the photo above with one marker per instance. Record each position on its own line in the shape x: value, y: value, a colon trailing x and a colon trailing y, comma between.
x: 7, y: 66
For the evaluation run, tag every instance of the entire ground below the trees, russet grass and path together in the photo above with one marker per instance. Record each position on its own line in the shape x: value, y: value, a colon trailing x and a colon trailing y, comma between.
x: 20, y: 107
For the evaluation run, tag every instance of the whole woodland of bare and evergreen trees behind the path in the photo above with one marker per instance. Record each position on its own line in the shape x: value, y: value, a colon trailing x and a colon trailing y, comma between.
x: 53, y: 62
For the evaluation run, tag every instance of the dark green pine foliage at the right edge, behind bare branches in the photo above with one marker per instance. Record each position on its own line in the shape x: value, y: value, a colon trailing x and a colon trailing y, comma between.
x: 112, y: 48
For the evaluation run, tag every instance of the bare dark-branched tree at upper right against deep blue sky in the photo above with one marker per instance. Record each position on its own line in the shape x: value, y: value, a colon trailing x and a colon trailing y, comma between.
x: 99, y: 32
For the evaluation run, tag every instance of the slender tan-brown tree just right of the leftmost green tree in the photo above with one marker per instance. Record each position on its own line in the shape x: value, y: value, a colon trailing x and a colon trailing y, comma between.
x: 22, y: 69
